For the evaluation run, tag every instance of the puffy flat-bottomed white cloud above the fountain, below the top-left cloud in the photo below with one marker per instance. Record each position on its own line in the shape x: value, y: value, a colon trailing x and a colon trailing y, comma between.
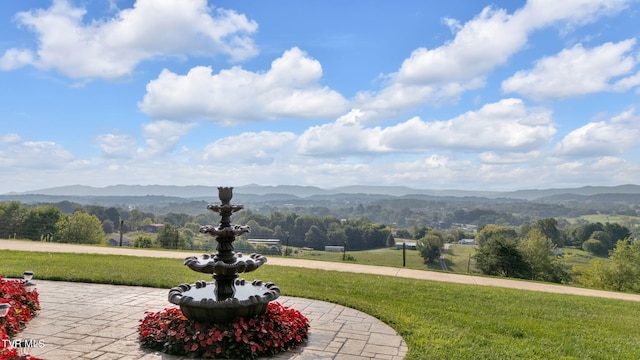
x: 290, y: 89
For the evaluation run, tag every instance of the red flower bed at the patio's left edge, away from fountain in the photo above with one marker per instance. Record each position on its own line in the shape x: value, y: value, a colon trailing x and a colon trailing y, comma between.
x: 23, y: 307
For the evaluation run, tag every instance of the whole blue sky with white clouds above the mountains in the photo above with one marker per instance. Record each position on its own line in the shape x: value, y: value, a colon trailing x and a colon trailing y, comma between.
x: 499, y: 95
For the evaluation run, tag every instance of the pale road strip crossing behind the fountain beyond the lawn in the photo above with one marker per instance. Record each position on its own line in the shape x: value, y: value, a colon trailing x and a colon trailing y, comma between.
x: 324, y: 265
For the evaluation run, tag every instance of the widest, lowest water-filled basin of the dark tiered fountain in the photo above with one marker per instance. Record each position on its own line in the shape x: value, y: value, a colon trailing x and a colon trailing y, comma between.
x: 199, y: 302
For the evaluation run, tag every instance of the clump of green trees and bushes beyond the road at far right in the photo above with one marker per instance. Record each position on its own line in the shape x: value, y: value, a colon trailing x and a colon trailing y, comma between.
x: 529, y: 252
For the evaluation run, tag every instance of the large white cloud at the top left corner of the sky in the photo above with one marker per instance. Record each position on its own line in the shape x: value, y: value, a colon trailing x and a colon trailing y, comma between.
x: 113, y: 47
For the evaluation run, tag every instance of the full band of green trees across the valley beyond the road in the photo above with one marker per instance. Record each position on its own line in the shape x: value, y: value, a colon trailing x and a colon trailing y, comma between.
x: 526, y: 251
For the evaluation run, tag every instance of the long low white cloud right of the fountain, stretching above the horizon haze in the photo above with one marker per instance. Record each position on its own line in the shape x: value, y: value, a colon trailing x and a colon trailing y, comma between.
x: 507, y: 125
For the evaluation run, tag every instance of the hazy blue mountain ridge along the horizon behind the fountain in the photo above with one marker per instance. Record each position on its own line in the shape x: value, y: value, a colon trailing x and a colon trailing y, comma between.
x: 211, y: 192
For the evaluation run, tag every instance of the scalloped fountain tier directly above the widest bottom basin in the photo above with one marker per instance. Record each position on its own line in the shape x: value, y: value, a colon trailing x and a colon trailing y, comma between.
x: 214, y: 264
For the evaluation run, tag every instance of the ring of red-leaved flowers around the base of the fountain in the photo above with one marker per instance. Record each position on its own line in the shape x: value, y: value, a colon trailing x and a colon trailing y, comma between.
x: 278, y: 329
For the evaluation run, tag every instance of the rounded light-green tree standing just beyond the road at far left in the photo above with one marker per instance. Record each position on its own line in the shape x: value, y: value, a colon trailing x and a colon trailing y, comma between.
x: 80, y: 228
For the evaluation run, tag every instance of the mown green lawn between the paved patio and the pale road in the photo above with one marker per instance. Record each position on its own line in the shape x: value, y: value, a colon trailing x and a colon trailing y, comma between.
x: 437, y: 320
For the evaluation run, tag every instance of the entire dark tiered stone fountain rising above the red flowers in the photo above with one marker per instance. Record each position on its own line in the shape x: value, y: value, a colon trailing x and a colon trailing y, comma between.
x: 228, y: 297
